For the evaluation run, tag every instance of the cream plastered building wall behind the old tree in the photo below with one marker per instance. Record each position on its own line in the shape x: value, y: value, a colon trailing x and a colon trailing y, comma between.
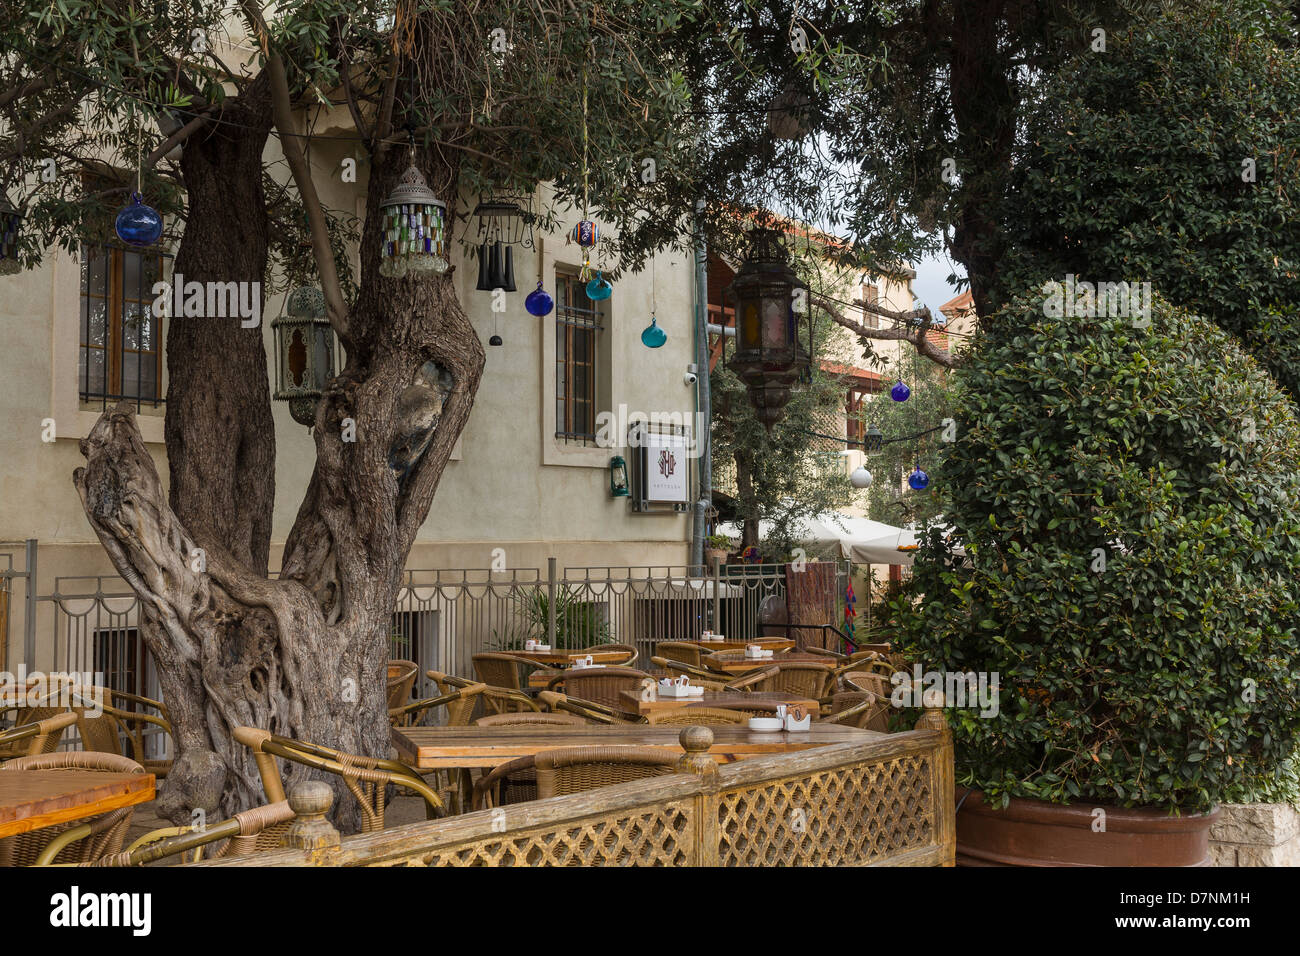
x: 510, y: 486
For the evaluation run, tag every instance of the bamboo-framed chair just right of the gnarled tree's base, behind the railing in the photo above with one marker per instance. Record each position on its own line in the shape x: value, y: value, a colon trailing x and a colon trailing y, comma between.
x: 366, y: 778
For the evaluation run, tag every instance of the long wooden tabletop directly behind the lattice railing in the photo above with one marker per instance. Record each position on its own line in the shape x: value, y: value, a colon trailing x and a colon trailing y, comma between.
x: 430, y: 749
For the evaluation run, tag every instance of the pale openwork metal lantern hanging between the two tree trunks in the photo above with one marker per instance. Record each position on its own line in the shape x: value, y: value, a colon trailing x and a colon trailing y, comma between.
x: 305, y: 353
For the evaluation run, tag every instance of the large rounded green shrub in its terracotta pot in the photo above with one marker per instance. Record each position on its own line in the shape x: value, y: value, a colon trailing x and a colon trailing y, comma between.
x: 1128, y: 503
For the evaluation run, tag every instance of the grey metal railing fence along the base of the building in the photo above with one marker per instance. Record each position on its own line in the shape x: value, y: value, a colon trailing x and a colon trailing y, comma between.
x: 441, y: 618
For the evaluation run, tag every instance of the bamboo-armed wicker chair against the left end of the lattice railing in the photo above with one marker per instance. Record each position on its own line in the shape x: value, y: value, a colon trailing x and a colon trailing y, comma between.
x: 249, y: 832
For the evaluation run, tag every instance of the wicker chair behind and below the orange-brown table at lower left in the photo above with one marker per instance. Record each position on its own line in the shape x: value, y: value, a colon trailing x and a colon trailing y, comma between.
x: 76, y: 841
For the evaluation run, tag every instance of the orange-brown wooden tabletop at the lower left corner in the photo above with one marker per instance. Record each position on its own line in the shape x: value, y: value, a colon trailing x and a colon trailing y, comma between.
x: 34, y: 799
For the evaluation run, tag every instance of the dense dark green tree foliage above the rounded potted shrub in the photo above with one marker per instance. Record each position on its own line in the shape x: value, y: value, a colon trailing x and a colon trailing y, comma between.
x: 1134, y: 171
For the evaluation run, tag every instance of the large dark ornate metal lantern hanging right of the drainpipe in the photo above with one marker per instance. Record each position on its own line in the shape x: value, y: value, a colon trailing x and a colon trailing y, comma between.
x: 769, y: 357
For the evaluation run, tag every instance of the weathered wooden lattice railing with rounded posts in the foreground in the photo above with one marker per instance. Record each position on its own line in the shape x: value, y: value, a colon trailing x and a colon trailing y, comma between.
x: 885, y: 802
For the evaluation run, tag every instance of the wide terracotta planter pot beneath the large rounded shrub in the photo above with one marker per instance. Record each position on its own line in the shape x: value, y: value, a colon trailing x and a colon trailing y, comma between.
x: 1033, y: 833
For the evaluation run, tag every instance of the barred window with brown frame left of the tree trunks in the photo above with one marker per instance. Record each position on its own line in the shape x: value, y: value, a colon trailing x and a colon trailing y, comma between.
x: 122, y: 356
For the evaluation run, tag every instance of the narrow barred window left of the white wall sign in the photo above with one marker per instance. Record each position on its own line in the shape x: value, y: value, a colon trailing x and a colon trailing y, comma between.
x: 578, y: 327
